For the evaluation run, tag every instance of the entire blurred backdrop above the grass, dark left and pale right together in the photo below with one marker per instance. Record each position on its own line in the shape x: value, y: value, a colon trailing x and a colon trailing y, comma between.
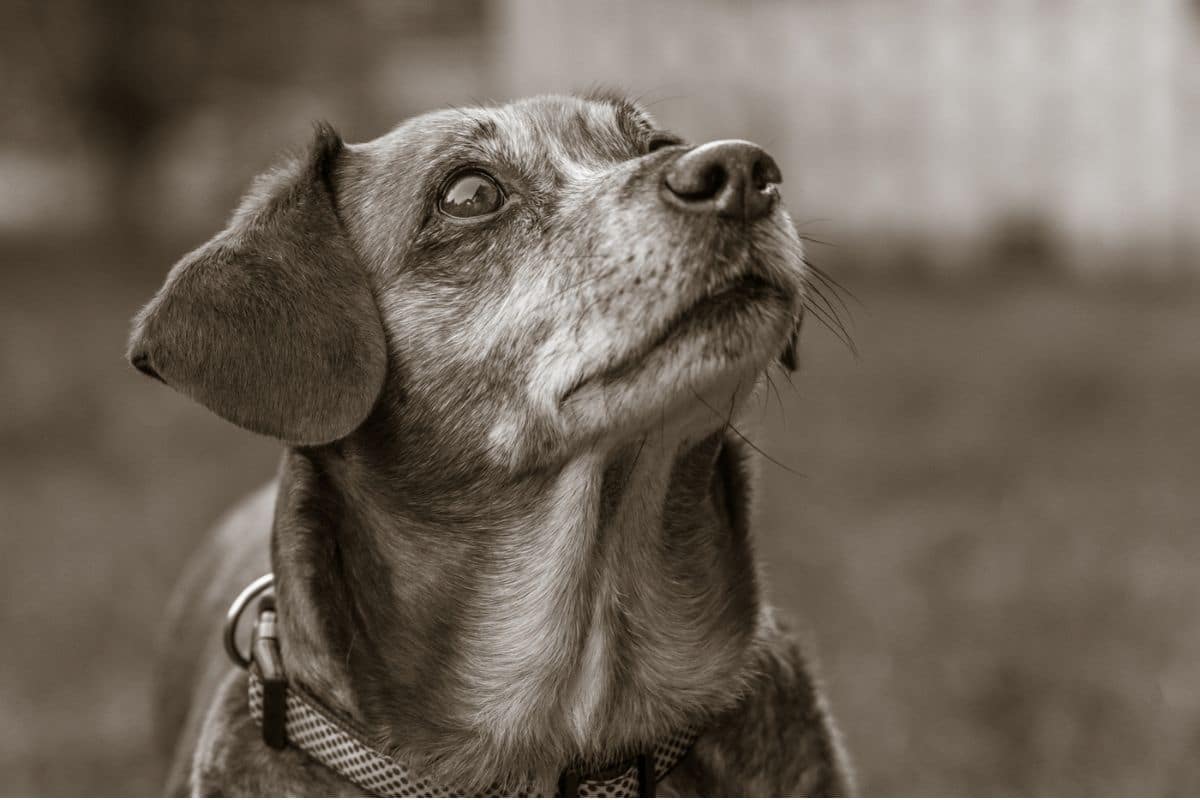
x: 953, y: 136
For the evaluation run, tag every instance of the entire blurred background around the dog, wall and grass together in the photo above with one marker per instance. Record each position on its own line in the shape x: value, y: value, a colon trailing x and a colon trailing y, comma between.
x: 991, y: 537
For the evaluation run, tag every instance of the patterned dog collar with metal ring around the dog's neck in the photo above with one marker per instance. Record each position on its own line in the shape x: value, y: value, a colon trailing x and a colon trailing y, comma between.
x: 291, y: 717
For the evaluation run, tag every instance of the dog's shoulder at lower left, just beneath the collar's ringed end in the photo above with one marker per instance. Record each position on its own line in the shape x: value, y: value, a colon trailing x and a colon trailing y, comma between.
x: 232, y: 760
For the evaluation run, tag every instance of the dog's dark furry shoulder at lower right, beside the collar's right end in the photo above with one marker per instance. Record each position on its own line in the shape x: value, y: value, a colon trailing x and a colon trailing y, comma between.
x: 778, y: 741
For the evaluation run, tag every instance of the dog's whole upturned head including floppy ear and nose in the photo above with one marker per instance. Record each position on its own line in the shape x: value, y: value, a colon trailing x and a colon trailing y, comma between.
x: 508, y: 285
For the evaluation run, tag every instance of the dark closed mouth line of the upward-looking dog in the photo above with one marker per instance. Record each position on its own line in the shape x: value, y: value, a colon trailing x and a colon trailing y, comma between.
x: 717, y: 309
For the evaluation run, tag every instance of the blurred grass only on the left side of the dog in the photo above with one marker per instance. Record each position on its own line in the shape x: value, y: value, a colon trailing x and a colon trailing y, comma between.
x: 106, y: 483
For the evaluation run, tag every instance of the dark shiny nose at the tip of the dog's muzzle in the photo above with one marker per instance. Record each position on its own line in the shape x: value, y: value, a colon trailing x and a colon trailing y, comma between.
x: 731, y: 179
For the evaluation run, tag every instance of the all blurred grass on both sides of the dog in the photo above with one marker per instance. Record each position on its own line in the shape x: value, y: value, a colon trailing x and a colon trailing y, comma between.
x: 993, y: 544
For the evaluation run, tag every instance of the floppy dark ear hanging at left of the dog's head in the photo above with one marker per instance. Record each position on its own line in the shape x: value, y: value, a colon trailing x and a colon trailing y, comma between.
x: 272, y: 324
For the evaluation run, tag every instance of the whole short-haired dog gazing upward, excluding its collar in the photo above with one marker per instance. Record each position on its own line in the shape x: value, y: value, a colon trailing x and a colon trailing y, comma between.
x: 511, y: 532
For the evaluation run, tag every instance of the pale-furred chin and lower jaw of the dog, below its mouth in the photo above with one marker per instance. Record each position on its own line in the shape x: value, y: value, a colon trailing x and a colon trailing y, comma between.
x: 694, y: 372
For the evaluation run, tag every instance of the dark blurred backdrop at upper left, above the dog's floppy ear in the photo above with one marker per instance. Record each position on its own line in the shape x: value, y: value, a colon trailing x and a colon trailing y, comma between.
x: 149, y: 118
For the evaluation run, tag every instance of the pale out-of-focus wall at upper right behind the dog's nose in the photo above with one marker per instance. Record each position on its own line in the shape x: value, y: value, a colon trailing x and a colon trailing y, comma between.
x: 940, y: 122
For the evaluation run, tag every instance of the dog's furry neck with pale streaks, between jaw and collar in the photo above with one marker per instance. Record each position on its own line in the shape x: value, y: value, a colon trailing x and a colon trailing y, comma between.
x: 495, y: 628
